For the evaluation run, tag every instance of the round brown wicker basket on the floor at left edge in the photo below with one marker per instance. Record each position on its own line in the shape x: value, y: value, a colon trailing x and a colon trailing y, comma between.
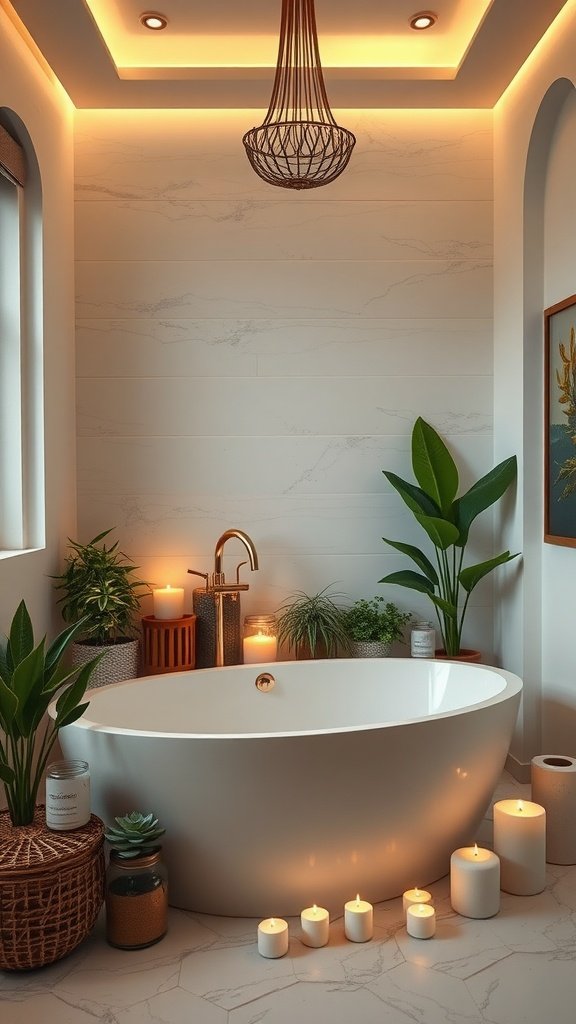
x: 52, y: 890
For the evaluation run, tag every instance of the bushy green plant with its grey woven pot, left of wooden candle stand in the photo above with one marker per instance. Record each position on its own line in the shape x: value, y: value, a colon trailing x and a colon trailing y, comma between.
x: 99, y: 585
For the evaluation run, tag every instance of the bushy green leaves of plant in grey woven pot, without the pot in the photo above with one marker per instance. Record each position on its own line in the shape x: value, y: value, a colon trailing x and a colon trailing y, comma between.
x: 98, y: 585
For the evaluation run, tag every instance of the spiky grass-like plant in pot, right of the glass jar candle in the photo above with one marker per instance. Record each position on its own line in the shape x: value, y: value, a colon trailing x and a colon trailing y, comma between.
x: 312, y: 626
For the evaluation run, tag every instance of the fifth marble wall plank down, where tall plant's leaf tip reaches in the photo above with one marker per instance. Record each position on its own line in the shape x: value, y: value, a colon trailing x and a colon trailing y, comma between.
x: 278, y: 407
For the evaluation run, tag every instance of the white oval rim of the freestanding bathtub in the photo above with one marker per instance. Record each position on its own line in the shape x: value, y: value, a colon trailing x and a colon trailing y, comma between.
x: 513, y: 687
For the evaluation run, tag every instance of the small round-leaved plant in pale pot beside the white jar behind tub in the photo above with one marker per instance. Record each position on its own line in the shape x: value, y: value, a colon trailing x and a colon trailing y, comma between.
x: 373, y: 626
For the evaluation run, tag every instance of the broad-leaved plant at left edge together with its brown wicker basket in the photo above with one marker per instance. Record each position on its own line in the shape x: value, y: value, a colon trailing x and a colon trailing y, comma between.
x: 35, y: 867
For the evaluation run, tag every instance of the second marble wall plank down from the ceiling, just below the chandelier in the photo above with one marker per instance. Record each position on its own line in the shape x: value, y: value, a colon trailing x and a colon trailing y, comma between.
x: 185, y: 230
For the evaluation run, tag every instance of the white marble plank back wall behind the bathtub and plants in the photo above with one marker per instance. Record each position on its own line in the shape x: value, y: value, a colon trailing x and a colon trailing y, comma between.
x: 255, y: 358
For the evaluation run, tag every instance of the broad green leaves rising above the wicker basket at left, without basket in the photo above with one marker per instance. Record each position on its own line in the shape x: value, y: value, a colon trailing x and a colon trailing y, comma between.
x: 31, y: 677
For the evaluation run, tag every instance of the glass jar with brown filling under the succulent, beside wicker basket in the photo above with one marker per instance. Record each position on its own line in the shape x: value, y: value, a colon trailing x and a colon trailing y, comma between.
x: 137, y: 901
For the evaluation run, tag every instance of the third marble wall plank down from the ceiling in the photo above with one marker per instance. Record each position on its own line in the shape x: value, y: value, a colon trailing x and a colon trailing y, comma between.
x: 280, y: 289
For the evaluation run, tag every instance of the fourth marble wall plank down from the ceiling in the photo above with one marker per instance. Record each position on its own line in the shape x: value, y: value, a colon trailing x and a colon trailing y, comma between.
x: 261, y: 348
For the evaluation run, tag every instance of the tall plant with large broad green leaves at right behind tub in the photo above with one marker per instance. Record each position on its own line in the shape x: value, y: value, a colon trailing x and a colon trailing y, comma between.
x: 447, y: 521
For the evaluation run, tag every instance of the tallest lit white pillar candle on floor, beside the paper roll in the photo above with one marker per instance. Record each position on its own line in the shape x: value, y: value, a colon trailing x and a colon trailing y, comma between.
x: 520, y: 841
